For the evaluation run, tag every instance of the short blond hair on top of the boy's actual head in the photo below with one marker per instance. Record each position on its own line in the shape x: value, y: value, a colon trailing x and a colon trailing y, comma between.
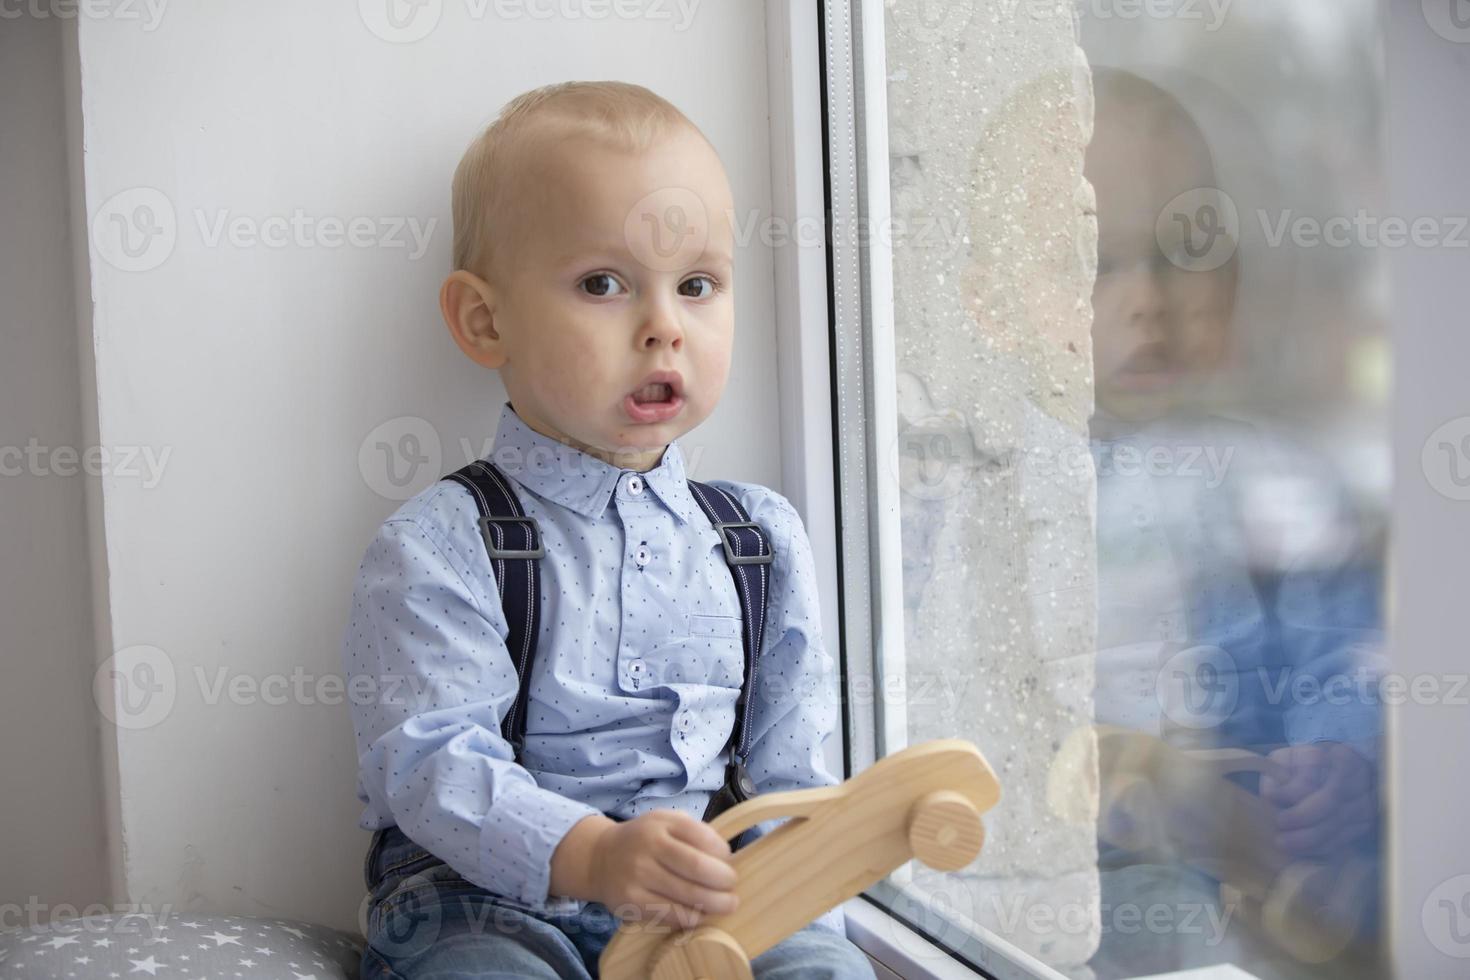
x: 499, y: 159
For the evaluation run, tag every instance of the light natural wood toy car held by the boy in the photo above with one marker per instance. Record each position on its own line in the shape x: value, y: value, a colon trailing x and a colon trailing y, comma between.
x: 922, y: 803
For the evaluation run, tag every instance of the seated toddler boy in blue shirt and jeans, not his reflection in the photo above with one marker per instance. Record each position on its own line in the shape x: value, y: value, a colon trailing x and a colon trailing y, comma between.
x: 595, y: 273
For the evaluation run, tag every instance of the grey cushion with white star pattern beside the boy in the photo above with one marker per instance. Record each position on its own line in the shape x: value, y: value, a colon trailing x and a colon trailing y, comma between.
x: 179, y: 947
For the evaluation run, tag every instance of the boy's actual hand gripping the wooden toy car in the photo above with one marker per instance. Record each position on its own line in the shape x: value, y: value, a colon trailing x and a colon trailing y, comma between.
x: 664, y: 868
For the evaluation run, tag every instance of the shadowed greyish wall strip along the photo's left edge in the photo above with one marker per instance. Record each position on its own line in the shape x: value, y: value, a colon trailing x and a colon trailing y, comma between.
x: 51, y: 774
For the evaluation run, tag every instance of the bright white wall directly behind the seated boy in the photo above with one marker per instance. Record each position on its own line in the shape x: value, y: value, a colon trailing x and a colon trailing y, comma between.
x: 261, y: 374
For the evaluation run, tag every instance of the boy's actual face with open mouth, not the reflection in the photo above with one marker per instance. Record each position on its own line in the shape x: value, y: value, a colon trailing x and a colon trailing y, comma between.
x: 621, y: 274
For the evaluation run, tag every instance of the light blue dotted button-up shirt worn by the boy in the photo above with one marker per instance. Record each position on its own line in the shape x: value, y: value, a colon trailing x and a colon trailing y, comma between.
x: 637, y: 671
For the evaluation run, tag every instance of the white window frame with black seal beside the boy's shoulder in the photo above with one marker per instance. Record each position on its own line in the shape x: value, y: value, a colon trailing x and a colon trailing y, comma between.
x: 856, y: 321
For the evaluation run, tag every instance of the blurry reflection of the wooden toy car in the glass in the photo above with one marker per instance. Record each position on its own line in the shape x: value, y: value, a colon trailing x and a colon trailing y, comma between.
x: 1169, y: 806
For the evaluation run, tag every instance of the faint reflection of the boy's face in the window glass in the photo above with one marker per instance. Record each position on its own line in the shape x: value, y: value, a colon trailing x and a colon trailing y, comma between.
x: 1156, y: 327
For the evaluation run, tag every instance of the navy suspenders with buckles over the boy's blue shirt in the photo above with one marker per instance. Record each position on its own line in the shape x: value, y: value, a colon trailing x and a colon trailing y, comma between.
x: 514, y: 544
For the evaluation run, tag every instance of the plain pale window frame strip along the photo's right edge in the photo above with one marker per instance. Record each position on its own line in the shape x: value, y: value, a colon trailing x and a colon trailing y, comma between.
x: 1428, y: 782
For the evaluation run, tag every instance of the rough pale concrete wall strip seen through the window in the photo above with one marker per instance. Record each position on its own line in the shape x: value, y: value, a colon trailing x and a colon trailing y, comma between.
x: 994, y: 258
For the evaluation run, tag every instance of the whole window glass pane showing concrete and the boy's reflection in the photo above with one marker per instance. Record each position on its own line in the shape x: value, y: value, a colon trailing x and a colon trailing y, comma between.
x: 1143, y: 469
